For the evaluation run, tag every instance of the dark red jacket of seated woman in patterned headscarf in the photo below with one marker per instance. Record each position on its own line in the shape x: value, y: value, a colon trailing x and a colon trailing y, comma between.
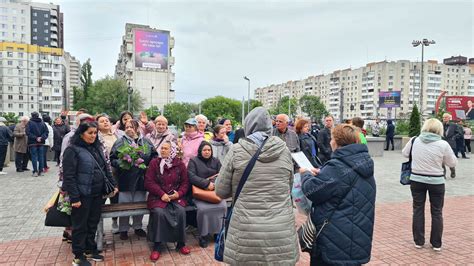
x: 174, y: 178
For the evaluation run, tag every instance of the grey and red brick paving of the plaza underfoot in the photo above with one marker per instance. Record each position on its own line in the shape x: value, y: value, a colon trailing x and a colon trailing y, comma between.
x: 24, y: 240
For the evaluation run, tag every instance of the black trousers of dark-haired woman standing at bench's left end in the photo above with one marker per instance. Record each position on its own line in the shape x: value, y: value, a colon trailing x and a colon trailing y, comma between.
x: 84, y: 224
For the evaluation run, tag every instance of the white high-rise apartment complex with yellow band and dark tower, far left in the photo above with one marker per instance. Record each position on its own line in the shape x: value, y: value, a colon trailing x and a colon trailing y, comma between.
x: 33, y: 67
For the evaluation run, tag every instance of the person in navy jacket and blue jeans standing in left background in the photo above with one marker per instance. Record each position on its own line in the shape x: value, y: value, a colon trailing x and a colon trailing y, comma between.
x: 37, y: 133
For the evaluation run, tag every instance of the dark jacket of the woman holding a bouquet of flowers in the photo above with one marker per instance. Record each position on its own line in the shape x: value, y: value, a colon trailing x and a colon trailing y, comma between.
x: 134, y: 178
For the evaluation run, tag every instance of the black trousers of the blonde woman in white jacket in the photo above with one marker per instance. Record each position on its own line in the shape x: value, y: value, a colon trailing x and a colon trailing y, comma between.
x: 436, y: 193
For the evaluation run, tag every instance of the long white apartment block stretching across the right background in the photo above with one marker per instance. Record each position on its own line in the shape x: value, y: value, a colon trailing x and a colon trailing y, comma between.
x: 349, y: 93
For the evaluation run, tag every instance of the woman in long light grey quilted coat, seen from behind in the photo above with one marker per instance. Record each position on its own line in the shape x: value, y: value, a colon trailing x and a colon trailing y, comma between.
x: 262, y: 228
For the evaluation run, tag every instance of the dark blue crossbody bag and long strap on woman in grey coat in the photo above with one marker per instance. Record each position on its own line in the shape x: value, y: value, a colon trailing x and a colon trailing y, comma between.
x: 221, y: 237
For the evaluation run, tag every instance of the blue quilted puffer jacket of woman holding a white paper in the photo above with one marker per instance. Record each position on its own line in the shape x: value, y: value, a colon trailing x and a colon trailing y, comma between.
x: 347, y: 238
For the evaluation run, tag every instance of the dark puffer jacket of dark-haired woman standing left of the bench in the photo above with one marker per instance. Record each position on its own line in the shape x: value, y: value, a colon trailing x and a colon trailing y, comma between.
x: 82, y: 175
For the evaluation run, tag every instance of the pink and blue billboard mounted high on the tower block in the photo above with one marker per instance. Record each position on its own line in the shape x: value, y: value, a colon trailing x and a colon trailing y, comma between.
x: 151, y: 49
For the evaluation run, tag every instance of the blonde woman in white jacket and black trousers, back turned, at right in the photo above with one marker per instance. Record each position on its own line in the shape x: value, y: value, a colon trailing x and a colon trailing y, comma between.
x: 429, y: 153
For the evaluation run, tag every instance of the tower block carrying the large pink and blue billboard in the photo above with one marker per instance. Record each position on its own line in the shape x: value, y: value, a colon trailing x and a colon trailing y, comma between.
x: 145, y: 61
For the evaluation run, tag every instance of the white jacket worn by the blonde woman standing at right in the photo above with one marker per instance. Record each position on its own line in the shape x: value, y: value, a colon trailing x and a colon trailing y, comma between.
x: 429, y: 153
